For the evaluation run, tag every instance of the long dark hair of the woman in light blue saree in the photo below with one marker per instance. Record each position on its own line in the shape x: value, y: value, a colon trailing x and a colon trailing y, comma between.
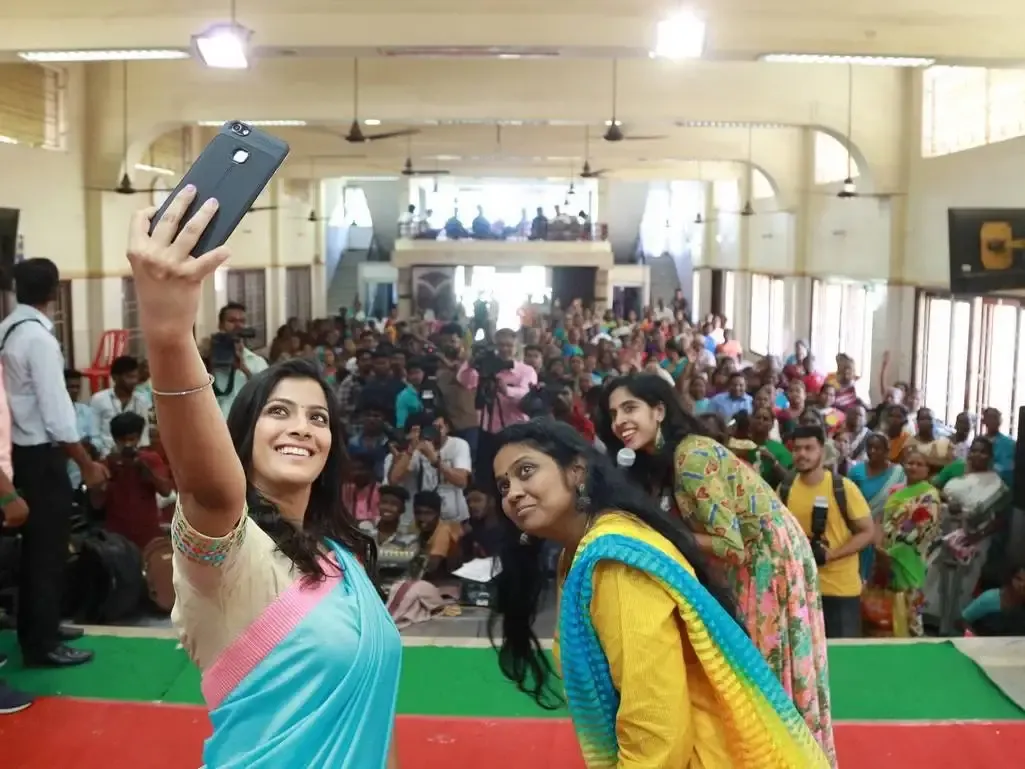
x: 326, y: 516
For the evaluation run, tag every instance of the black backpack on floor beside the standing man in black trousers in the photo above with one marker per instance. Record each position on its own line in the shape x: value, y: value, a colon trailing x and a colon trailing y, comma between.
x: 107, y: 583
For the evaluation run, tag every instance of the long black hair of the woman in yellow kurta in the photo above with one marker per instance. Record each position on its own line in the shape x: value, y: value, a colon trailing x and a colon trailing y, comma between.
x: 524, y: 575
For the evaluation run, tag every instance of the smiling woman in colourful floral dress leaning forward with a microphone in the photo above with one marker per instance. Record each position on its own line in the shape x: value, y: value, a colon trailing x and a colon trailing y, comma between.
x: 762, y: 552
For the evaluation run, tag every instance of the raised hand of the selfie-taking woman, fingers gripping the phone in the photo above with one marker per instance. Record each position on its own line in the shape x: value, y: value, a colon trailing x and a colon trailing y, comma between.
x: 169, y: 280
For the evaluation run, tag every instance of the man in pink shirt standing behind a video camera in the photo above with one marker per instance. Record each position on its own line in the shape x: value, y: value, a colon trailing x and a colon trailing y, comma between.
x: 513, y: 385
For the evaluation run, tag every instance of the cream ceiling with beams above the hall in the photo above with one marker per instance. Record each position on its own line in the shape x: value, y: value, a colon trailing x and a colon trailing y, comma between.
x: 305, y: 73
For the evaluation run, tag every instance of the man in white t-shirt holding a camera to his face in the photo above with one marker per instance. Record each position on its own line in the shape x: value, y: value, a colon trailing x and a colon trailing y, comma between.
x: 435, y: 461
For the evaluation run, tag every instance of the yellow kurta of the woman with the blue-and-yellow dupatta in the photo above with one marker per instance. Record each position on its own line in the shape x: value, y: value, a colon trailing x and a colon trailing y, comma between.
x: 669, y: 715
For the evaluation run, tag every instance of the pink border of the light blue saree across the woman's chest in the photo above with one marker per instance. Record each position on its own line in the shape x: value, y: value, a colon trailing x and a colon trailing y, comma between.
x: 270, y: 629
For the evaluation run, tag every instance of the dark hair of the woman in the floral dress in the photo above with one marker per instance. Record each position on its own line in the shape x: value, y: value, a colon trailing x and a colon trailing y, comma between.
x: 650, y: 469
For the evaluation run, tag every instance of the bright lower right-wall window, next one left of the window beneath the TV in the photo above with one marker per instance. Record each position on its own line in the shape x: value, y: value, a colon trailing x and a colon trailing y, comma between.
x: 842, y: 322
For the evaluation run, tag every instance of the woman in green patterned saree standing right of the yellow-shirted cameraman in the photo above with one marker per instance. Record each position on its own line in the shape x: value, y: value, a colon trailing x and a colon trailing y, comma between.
x: 911, y: 525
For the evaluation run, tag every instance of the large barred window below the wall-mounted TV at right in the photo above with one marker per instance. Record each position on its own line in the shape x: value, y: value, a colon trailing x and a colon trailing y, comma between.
x: 971, y: 356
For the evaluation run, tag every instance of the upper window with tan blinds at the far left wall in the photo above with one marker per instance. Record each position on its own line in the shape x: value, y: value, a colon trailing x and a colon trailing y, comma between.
x: 31, y: 106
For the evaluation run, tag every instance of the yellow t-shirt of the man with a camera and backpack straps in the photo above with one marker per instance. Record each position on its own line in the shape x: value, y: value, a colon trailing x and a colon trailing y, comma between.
x: 838, y: 579
